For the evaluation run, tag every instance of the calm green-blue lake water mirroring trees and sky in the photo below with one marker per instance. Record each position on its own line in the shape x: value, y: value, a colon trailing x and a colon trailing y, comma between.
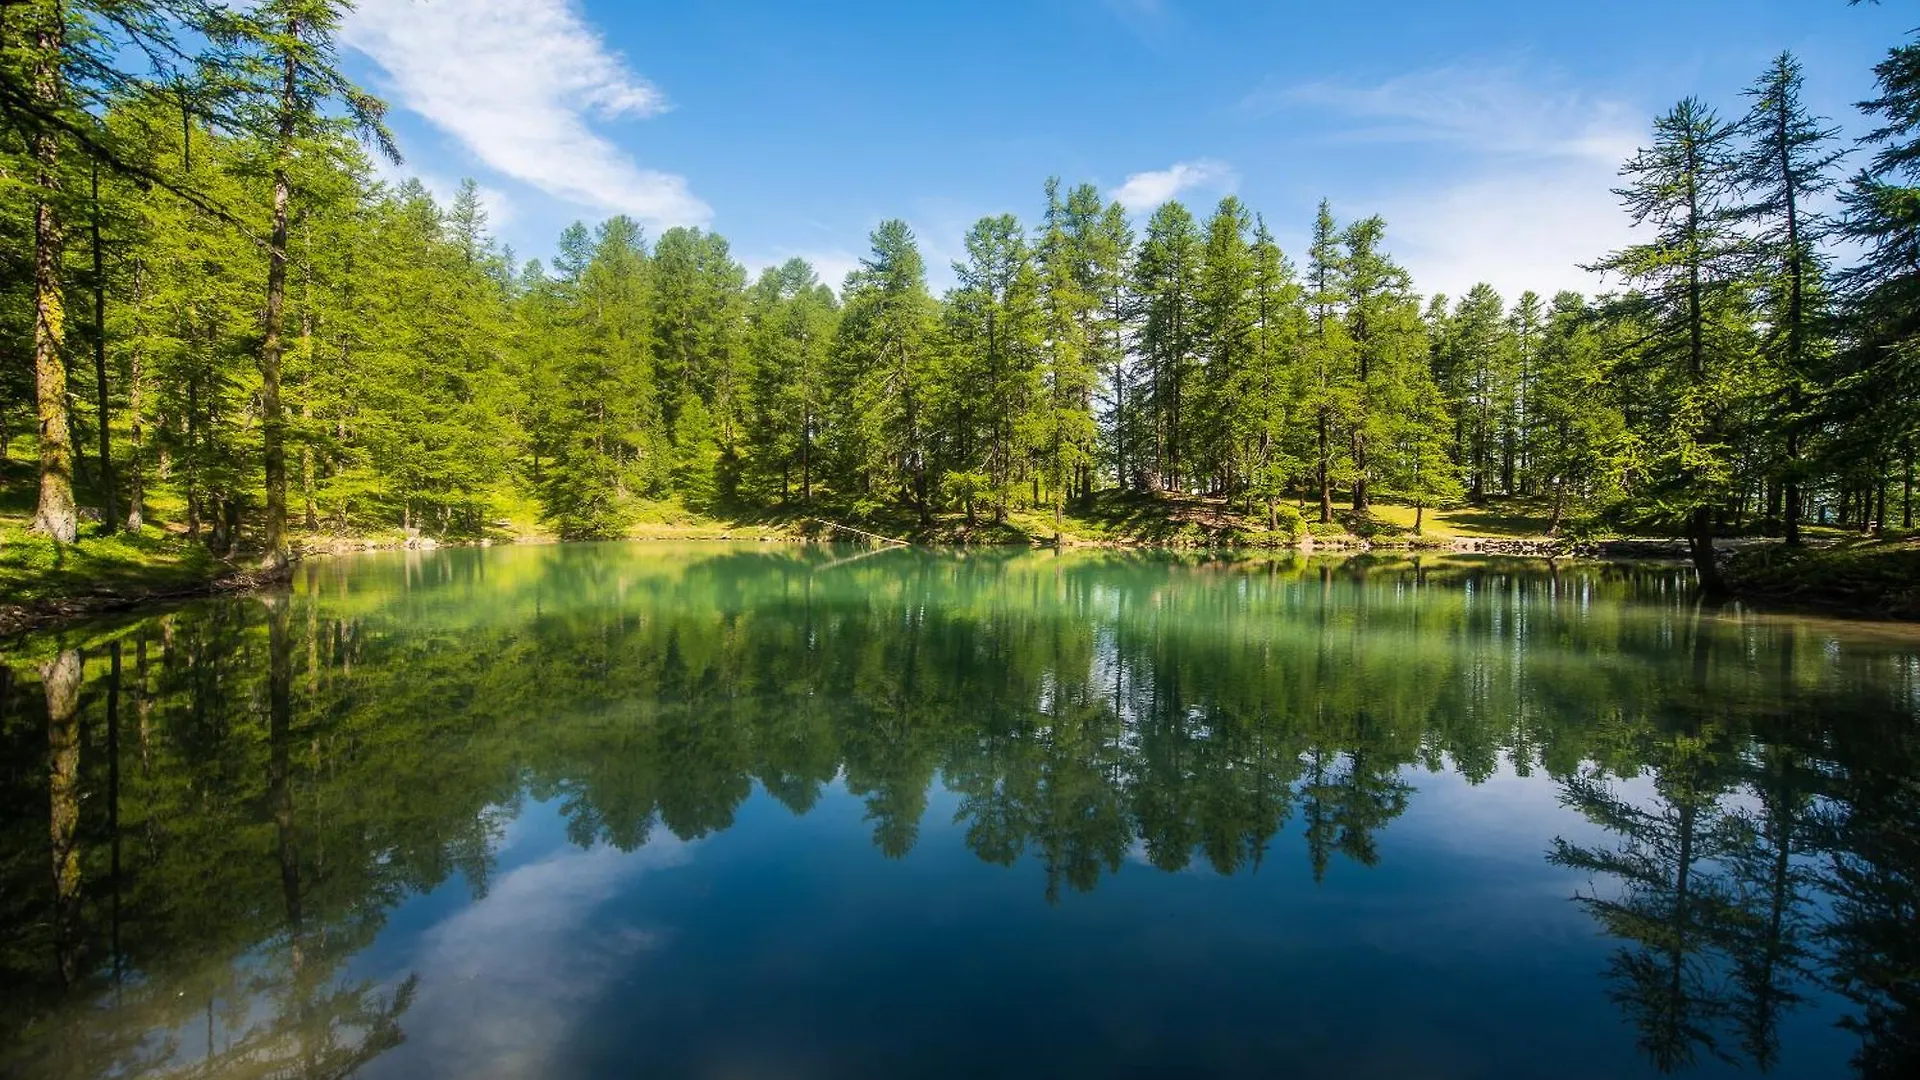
x: 813, y: 812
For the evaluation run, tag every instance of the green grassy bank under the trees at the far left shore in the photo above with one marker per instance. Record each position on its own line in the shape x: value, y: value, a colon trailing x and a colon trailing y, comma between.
x: 118, y: 564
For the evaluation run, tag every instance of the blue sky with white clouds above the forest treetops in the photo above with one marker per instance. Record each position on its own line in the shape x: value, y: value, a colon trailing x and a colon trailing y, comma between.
x: 1487, y: 134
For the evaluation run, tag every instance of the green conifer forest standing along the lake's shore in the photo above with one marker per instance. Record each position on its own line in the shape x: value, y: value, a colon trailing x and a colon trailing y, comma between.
x: 222, y: 320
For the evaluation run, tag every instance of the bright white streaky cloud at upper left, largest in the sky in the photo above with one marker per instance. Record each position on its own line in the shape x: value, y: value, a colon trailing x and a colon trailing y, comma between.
x: 517, y: 82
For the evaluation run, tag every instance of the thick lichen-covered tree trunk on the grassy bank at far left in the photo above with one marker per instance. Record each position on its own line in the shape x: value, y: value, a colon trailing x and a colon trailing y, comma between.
x: 55, y: 514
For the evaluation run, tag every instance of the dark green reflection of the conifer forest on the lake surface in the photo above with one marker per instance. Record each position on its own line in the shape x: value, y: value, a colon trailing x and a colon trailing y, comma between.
x: 210, y: 812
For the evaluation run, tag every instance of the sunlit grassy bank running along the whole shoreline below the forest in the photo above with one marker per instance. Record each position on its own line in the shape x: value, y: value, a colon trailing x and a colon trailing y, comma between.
x: 41, y: 581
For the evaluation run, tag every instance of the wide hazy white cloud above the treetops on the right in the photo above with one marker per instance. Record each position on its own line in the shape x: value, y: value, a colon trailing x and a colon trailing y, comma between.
x: 1524, y: 191
